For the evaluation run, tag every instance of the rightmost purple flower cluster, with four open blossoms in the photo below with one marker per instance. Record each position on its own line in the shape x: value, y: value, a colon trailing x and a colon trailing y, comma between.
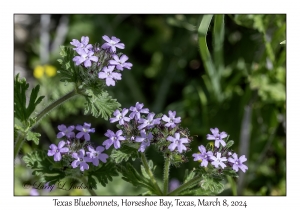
x: 220, y: 157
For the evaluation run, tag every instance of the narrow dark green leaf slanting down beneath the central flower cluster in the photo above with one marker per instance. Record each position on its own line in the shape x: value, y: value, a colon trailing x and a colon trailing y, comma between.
x: 131, y: 175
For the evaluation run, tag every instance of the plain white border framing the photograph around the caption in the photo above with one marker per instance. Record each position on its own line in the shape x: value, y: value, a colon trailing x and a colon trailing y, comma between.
x: 154, y: 6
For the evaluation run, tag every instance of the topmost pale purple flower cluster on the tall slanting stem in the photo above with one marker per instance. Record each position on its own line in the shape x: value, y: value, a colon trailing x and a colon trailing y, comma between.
x: 102, y: 61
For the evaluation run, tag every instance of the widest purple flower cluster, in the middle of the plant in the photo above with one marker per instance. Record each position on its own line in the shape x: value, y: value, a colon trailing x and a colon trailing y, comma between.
x: 144, y: 127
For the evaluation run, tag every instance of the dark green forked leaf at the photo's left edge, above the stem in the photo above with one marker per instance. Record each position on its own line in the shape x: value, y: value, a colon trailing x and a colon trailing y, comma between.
x: 21, y: 111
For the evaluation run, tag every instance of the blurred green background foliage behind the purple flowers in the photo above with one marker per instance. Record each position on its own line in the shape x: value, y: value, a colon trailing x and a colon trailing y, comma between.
x: 240, y: 87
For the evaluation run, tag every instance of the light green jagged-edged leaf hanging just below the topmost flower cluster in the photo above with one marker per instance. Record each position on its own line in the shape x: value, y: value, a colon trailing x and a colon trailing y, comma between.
x: 100, y: 104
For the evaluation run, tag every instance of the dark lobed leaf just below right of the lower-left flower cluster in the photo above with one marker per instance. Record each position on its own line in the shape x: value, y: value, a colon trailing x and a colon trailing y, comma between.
x: 102, y: 174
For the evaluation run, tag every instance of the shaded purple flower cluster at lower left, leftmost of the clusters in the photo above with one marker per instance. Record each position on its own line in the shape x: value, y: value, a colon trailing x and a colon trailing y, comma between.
x: 76, y: 149
